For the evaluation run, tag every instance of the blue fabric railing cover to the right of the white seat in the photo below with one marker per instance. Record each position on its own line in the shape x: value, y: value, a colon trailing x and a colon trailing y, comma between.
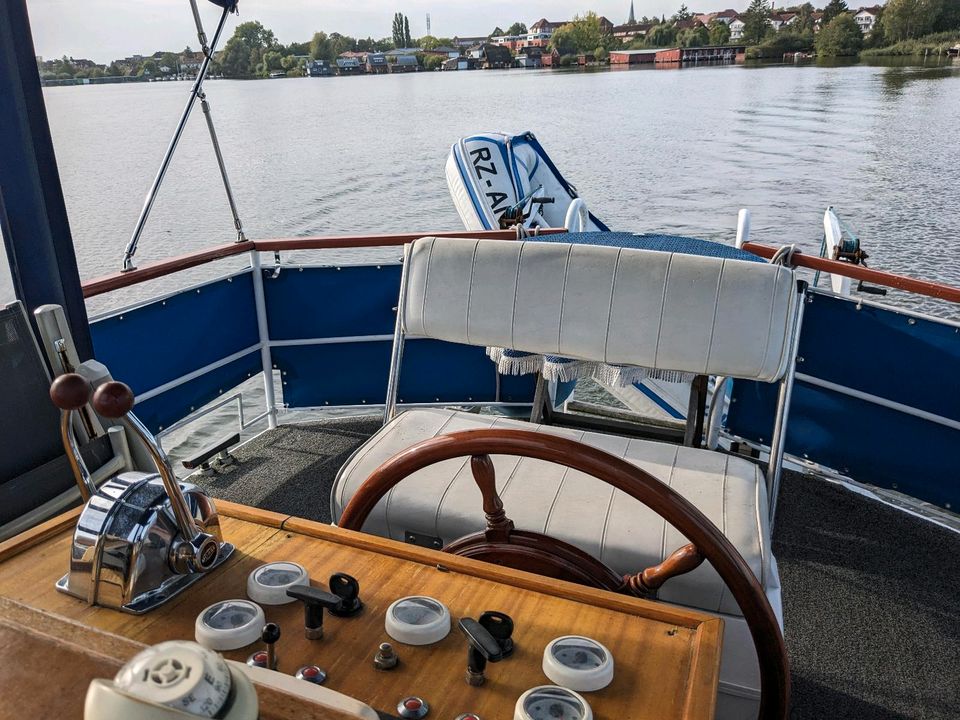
x: 877, y: 351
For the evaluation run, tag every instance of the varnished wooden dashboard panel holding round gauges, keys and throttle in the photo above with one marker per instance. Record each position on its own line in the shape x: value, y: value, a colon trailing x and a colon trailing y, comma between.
x: 667, y: 658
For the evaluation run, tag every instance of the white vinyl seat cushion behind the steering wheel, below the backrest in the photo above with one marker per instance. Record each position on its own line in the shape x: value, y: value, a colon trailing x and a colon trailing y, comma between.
x: 443, y: 500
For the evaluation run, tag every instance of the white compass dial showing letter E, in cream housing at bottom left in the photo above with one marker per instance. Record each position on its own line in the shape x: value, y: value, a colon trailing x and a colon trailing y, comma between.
x: 180, y: 675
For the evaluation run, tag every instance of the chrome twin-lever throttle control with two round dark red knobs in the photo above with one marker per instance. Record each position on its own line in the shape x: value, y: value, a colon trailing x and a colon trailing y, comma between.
x: 156, y: 535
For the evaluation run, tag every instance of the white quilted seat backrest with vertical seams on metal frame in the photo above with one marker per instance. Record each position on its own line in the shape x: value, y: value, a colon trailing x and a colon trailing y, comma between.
x: 667, y: 311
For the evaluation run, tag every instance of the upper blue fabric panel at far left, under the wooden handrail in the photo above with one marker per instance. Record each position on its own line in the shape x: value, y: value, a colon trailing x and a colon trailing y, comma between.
x: 167, y: 339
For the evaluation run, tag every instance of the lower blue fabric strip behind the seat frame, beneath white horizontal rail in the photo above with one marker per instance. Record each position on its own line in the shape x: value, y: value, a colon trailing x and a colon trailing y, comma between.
x: 356, y: 373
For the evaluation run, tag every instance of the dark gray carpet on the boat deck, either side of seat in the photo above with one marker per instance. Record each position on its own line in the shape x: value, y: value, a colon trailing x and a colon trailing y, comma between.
x: 871, y: 595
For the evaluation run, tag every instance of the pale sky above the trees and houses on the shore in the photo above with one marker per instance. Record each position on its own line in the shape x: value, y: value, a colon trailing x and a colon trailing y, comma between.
x: 103, y: 30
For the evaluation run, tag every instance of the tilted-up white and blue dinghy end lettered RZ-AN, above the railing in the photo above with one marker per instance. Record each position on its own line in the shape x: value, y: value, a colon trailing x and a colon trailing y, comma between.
x: 494, y: 177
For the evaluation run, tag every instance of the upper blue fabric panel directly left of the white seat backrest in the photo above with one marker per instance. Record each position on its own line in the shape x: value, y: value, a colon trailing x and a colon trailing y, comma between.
x: 327, y: 302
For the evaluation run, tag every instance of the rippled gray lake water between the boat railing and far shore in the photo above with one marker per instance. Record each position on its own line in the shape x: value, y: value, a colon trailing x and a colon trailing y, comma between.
x: 650, y: 150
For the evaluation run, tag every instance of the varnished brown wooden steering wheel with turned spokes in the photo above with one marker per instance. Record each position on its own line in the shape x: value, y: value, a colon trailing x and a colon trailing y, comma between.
x: 535, y: 552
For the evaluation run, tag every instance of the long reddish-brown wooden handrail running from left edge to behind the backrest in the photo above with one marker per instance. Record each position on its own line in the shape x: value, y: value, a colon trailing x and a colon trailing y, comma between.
x: 115, y: 281
